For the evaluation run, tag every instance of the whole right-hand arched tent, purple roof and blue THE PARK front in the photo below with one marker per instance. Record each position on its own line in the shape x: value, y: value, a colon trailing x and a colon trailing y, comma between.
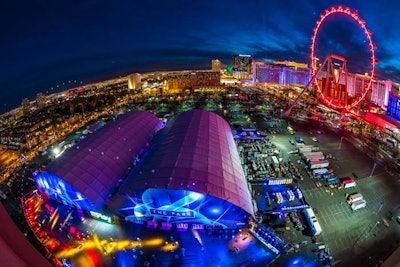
x: 191, y: 174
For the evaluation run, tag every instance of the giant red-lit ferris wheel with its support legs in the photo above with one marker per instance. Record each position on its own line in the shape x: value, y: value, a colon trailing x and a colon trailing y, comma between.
x: 331, y: 81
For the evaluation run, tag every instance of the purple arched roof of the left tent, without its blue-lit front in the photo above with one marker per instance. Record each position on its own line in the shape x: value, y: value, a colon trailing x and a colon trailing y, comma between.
x: 95, y: 165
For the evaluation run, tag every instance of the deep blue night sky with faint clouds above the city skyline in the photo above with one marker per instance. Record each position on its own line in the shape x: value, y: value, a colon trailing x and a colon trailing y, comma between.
x: 50, y: 45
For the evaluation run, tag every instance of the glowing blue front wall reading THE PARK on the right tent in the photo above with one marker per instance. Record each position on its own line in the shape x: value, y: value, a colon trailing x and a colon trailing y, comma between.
x: 180, y: 207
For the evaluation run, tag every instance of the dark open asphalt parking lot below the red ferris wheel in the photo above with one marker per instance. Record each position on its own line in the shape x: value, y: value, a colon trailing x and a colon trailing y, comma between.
x: 361, y: 236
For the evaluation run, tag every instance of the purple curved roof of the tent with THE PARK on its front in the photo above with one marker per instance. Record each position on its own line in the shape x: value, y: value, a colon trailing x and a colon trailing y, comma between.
x: 196, y: 152
